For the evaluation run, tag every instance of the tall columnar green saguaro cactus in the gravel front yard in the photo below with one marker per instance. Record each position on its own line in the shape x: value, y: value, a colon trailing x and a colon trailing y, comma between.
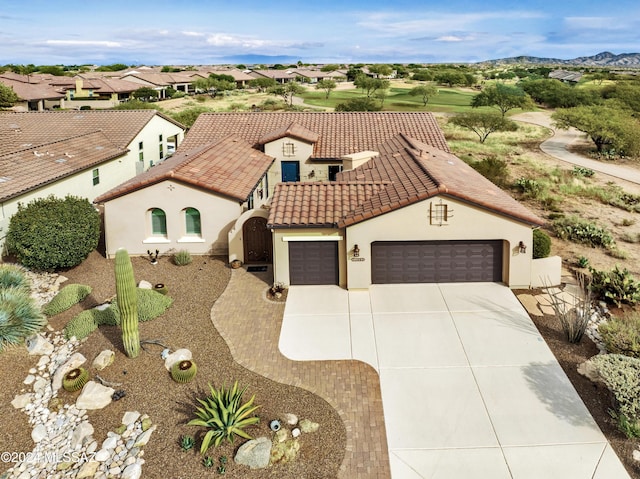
x: 127, y: 303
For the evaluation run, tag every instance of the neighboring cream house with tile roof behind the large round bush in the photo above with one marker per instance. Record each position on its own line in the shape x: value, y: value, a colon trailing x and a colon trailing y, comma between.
x: 82, y: 153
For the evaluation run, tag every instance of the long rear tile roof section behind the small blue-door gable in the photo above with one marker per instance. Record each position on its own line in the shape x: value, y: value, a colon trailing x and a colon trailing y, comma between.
x: 339, y: 133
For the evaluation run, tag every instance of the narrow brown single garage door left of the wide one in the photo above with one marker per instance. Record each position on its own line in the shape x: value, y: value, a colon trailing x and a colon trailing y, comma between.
x: 313, y: 262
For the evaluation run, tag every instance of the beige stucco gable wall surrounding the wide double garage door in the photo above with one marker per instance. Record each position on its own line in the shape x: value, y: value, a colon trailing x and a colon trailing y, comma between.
x: 467, y: 222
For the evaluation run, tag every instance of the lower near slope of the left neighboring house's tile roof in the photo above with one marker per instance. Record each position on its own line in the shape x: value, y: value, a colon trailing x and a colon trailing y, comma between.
x: 31, y: 167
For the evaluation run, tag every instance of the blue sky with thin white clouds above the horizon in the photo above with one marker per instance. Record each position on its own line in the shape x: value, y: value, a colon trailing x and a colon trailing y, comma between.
x: 185, y: 32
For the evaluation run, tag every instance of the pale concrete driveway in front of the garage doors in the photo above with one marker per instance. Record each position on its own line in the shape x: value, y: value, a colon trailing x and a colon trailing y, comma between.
x: 469, y: 387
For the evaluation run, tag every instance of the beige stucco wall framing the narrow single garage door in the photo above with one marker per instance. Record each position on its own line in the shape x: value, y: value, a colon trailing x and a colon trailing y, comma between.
x: 281, y: 250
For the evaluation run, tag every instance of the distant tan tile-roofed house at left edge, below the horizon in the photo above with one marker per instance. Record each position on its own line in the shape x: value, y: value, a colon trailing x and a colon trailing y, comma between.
x: 34, y: 91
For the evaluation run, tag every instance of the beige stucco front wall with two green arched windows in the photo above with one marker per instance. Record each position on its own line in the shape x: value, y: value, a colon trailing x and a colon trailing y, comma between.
x: 128, y: 222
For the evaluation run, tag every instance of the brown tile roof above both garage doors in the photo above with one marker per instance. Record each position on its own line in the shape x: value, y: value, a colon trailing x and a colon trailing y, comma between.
x: 412, y: 171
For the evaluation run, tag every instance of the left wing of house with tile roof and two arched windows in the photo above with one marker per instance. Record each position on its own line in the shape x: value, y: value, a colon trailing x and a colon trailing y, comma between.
x: 190, y: 201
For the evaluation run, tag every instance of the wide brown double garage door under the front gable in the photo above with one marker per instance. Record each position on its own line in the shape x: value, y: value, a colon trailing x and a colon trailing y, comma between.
x: 436, y: 261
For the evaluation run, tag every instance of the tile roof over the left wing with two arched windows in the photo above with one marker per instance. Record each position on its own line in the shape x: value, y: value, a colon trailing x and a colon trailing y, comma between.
x: 229, y: 167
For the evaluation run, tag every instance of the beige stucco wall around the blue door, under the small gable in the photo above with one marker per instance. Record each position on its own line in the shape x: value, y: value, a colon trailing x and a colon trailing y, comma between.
x: 309, y: 170
